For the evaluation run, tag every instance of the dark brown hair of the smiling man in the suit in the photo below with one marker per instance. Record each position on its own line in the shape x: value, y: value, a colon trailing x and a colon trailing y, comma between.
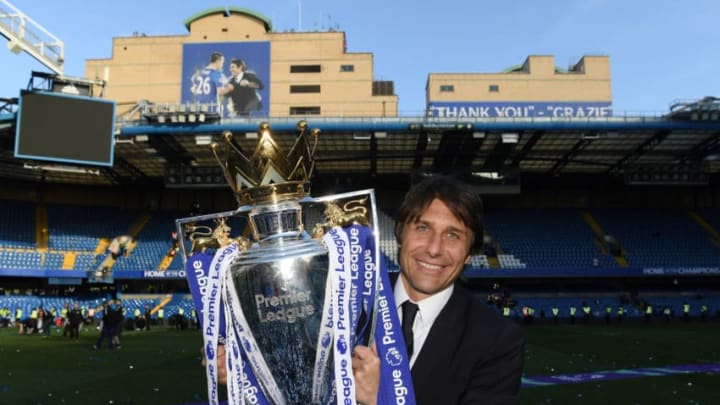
x: 466, y: 205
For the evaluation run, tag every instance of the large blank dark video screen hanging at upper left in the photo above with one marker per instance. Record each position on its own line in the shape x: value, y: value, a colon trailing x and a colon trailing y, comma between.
x: 63, y: 128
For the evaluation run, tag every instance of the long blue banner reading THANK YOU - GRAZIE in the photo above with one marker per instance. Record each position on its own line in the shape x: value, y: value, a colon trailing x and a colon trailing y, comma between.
x: 518, y: 109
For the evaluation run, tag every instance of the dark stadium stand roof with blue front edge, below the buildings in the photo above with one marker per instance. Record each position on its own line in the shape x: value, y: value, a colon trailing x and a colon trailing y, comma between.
x: 683, y: 146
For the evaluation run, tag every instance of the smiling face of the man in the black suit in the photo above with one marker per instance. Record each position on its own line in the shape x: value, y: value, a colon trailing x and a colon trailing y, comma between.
x: 433, y: 251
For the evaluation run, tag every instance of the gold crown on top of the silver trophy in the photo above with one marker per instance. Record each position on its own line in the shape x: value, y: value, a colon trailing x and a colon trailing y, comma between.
x: 269, y: 175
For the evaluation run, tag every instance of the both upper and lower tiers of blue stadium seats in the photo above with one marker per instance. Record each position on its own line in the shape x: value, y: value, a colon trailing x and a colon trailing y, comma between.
x: 568, y: 241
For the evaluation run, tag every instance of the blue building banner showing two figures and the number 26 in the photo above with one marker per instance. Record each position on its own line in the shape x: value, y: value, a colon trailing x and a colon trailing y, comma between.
x: 230, y: 78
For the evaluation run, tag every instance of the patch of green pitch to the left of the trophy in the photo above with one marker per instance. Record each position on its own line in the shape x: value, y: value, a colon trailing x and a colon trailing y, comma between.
x: 161, y: 366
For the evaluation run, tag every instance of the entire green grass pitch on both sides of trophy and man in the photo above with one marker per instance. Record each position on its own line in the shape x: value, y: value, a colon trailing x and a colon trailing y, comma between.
x: 163, y: 366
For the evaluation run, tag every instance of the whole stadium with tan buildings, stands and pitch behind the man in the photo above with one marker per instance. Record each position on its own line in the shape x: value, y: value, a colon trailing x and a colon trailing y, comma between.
x: 602, y: 230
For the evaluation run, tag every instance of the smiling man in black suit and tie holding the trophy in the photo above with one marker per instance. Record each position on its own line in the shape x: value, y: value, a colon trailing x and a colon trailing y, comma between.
x: 463, y: 352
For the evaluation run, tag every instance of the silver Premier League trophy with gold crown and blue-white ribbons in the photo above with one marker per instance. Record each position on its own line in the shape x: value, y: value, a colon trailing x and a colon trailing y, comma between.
x: 290, y: 305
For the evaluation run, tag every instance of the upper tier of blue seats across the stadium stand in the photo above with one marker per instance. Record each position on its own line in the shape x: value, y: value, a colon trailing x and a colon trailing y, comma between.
x: 521, y: 238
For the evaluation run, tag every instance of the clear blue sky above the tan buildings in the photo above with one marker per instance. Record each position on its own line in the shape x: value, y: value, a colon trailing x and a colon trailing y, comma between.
x: 661, y: 51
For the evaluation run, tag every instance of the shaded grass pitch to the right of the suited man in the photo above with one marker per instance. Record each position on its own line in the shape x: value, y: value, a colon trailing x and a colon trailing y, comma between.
x: 572, y: 349
